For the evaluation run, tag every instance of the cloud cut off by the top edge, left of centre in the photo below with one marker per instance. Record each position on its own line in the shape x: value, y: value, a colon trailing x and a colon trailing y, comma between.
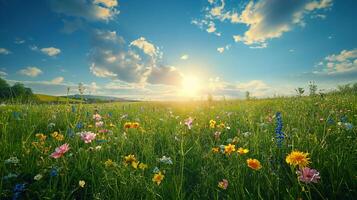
x: 97, y: 10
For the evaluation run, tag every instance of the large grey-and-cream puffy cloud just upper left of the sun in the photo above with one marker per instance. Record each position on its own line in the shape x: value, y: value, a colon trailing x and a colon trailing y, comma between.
x: 139, y: 62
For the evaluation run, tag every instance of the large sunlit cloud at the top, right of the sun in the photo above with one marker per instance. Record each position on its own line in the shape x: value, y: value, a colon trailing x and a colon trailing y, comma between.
x: 265, y: 19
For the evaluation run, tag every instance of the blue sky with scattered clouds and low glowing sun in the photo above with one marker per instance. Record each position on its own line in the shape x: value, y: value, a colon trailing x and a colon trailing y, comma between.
x: 178, y: 49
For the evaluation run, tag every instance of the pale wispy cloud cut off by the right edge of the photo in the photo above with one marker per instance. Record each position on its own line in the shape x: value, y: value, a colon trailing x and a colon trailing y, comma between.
x: 344, y: 62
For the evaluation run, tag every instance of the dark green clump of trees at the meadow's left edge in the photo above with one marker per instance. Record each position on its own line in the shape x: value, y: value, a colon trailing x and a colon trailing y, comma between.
x: 17, y: 93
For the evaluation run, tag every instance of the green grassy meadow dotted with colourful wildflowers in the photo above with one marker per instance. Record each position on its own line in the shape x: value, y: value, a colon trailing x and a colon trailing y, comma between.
x: 181, y: 150
